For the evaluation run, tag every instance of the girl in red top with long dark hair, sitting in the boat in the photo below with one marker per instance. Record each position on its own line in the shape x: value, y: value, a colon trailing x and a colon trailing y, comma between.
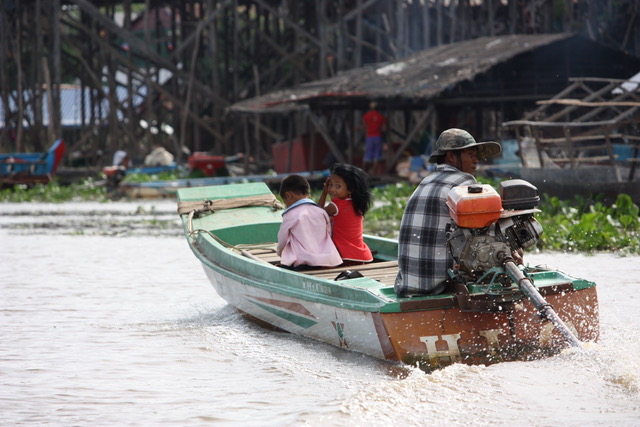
x: 350, y: 200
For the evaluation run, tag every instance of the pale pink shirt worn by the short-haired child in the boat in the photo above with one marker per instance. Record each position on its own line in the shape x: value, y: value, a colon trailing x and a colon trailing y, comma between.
x: 305, y: 237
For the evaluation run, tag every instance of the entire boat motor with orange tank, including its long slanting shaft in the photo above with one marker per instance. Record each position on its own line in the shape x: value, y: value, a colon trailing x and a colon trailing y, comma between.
x: 486, y: 229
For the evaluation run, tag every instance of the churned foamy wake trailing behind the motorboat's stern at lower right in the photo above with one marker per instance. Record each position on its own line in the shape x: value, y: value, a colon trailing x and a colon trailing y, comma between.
x: 586, y: 383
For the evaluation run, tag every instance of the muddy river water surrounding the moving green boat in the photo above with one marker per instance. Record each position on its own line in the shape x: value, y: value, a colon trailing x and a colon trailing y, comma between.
x: 106, y: 318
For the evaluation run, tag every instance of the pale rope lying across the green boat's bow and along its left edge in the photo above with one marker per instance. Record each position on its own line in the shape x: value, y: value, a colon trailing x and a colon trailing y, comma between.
x: 201, y: 207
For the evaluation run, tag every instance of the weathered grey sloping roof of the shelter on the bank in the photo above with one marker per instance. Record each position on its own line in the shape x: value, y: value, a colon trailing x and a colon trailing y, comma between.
x: 411, y: 82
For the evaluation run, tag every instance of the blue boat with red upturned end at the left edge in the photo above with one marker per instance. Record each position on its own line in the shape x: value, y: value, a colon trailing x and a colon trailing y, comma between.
x: 31, y: 168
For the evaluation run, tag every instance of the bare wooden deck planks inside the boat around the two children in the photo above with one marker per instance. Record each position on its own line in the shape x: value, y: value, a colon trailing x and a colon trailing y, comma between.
x: 383, y: 271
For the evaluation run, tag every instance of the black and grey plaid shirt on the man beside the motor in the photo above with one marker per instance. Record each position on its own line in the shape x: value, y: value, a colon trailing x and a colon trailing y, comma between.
x: 423, y: 255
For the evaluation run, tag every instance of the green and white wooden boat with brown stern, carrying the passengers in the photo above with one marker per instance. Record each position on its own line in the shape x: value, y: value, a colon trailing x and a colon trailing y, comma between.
x: 232, y: 230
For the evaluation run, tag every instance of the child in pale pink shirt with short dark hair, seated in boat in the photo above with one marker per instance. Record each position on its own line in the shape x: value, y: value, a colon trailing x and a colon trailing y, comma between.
x: 304, y: 239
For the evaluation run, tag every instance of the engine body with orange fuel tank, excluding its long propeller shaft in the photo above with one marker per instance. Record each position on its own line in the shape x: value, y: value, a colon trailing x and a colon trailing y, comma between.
x: 487, y: 227
